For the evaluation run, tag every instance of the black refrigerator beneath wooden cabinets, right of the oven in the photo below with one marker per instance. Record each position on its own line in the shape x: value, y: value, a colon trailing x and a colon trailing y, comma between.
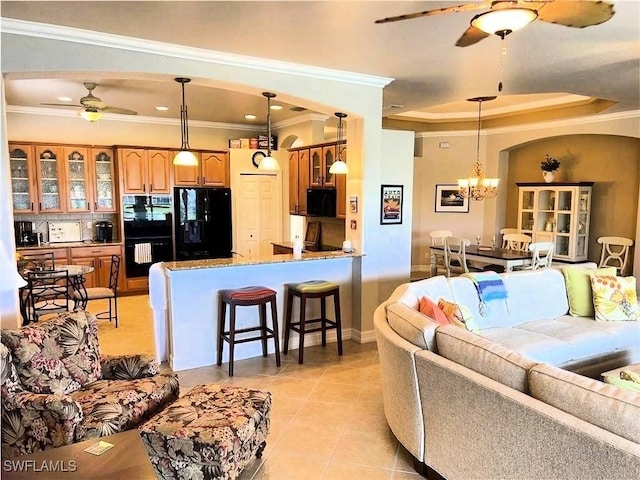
x: 202, y: 223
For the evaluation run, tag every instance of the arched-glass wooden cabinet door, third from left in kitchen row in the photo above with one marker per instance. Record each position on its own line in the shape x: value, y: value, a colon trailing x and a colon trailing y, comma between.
x: 78, y: 174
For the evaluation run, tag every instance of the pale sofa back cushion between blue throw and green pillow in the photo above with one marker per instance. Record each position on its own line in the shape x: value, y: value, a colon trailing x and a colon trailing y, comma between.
x: 534, y: 295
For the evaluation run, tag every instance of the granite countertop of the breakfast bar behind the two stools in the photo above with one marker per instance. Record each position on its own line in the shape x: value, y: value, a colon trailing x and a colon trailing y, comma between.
x: 244, y: 261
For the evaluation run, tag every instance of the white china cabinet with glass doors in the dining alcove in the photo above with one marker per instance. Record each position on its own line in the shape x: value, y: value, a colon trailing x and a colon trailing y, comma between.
x: 558, y: 213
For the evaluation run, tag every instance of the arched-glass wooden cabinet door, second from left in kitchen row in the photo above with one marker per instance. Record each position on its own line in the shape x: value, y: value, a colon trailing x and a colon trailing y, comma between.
x: 50, y: 175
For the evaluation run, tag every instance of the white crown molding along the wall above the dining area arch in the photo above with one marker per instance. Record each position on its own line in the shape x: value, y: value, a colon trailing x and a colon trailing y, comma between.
x: 565, y: 122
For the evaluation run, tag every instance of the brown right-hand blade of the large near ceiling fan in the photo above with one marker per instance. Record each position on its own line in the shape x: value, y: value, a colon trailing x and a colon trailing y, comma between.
x: 577, y: 14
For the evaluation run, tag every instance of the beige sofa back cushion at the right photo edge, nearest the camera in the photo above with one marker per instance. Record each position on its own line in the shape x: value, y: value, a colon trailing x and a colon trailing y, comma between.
x: 606, y: 406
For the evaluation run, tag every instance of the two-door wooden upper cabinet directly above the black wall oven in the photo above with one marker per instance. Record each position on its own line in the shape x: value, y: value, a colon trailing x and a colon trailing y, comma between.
x: 144, y: 171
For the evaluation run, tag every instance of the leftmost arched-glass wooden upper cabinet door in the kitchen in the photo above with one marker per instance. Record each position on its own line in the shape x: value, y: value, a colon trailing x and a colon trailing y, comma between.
x: 23, y: 179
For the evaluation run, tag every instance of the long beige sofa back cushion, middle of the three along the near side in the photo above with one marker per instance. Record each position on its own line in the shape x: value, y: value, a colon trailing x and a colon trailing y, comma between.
x: 484, y: 356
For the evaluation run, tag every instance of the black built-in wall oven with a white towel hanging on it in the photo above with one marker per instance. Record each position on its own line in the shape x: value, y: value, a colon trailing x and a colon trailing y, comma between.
x: 147, y: 232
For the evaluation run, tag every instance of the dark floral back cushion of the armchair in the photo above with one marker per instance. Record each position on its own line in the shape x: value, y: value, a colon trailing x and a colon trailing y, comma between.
x: 59, y: 355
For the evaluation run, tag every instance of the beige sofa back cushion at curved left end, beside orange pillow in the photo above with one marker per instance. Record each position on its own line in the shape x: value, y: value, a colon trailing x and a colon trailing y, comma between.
x: 411, y: 325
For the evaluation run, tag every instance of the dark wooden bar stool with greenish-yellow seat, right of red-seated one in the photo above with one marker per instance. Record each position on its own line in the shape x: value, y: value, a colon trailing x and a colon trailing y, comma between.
x: 312, y: 289
